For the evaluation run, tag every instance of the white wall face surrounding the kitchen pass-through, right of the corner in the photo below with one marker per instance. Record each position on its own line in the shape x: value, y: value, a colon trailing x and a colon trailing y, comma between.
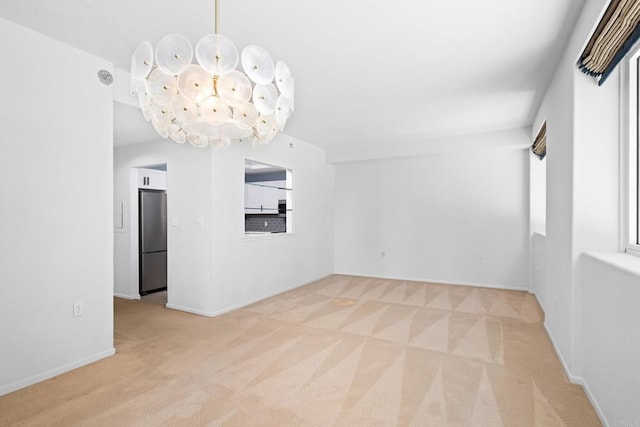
x: 248, y: 269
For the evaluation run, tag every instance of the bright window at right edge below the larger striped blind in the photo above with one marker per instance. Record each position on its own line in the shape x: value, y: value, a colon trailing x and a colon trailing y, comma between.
x: 631, y: 182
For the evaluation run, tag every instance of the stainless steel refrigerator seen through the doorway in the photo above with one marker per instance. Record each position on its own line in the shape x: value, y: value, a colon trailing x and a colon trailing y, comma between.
x: 153, y: 240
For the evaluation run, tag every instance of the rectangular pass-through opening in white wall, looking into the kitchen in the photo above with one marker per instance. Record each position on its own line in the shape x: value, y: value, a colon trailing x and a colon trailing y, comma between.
x: 268, y: 199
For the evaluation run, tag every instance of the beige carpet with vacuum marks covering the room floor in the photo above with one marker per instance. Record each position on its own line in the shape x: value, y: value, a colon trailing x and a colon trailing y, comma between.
x: 343, y: 351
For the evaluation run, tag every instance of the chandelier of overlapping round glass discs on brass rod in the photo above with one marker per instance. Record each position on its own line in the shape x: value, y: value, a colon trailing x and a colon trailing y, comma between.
x: 211, y: 102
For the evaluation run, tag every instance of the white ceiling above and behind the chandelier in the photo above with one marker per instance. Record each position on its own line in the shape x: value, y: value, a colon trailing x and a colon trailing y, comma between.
x: 367, y: 72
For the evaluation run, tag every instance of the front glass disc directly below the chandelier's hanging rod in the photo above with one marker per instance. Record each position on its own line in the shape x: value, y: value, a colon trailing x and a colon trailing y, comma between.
x: 217, y: 54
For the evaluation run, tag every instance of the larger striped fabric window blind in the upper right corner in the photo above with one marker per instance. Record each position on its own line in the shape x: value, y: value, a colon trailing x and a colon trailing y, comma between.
x: 614, y: 36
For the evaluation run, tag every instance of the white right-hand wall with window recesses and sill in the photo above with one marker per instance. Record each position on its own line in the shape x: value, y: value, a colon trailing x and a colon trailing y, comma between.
x: 589, y: 300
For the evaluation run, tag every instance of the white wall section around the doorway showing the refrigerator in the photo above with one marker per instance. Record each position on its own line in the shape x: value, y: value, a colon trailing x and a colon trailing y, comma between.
x: 188, y: 199
